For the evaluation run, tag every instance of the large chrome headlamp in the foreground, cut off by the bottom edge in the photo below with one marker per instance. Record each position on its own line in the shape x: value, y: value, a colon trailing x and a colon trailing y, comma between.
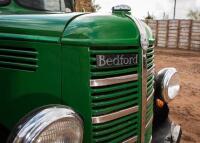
x: 58, y: 124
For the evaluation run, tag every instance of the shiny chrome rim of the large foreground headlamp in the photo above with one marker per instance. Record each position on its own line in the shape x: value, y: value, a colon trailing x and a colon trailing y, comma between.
x: 33, y: 124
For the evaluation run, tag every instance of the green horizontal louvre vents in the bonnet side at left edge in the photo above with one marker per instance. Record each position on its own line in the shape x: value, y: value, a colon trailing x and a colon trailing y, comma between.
x: 16, y: 58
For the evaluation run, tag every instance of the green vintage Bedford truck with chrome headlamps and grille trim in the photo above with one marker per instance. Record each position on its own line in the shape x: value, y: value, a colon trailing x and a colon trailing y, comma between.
x: 70, y: 77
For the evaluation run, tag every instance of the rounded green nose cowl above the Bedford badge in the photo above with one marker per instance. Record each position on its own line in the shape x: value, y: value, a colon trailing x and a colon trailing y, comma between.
x: 95, y: 29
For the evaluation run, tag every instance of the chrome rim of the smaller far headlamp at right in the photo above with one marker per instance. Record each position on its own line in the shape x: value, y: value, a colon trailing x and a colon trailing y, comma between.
x: 165, y: 76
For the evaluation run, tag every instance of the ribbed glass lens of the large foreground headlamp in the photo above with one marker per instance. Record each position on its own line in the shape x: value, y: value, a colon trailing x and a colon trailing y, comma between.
x: 62, y: 131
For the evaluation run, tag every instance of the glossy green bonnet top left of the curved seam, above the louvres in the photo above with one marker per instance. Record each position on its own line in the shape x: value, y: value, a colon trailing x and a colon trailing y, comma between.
x: 35, y: 27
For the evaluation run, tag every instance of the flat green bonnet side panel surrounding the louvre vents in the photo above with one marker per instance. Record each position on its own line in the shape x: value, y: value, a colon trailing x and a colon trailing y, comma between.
x: 22, y: 91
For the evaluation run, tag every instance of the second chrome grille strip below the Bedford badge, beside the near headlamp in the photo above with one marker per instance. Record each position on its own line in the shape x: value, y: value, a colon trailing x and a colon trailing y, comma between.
x: 115, y: 115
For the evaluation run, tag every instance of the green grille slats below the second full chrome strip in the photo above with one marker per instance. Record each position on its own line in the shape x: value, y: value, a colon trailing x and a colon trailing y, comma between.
x: 117, y: 130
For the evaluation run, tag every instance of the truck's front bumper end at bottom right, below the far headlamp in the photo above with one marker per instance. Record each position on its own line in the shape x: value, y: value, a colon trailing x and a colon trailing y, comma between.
x: 167, y: 132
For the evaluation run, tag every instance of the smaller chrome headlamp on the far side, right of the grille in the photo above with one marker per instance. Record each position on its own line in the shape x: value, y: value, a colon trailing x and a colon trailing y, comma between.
x: 168, y: 81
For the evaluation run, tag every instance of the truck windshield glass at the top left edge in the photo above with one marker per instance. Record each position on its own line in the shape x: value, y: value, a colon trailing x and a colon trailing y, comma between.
x: 48, y: 5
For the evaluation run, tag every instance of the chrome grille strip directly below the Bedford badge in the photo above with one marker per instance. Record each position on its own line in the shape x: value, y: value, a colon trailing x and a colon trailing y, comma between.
x: 113, y: 80
